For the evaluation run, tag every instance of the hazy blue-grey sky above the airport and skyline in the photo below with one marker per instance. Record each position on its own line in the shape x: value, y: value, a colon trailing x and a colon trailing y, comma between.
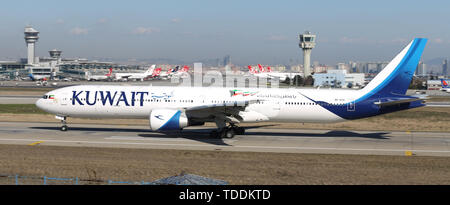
x: 250, y: 31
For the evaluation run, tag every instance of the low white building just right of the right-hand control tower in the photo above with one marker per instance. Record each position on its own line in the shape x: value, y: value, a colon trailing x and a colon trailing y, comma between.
x: 338, y: 78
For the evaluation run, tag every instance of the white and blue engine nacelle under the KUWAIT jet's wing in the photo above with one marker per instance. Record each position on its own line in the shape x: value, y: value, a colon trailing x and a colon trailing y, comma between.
x: 167, y: 119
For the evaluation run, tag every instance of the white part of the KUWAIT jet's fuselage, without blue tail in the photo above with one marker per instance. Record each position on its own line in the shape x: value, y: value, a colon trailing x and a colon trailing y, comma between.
x: 284, y: 105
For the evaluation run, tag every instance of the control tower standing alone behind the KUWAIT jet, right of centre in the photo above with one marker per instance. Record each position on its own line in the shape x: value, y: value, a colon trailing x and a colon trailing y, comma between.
x: 307, y: 43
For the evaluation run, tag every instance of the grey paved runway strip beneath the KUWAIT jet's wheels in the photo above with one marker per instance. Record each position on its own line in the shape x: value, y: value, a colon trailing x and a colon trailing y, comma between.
x: 256, y: 139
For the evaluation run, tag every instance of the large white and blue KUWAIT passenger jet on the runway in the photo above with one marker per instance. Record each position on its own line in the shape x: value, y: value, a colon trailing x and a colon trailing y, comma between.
x: 174, y: 108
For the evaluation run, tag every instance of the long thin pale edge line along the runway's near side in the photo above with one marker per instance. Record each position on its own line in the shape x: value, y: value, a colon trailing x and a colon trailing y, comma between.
x: 238, y: 146
